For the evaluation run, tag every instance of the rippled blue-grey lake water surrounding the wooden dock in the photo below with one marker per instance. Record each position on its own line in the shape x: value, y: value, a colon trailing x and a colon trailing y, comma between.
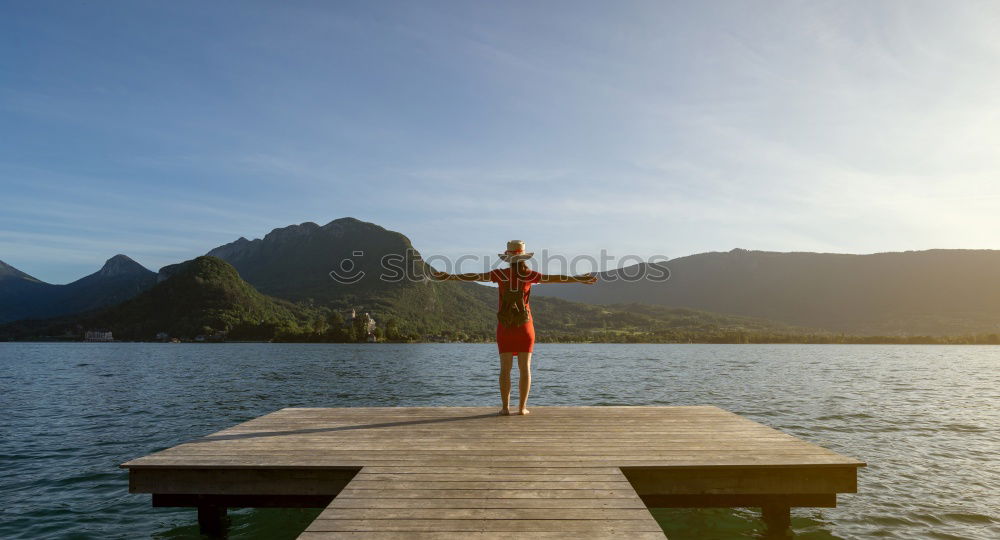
x: 925, y: 418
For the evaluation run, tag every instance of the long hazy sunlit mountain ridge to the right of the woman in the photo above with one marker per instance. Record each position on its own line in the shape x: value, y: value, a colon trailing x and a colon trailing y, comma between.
x: 934, y: 292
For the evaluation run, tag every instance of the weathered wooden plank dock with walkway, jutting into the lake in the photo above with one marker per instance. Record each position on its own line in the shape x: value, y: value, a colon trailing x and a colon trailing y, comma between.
x: 464, y: 472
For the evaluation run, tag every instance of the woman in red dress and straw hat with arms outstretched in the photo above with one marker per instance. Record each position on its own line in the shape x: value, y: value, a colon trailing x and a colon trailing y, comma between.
x: 515, y: 332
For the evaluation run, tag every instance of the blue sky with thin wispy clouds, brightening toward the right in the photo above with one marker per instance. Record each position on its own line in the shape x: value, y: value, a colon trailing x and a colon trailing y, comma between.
x: 163, y: 129
